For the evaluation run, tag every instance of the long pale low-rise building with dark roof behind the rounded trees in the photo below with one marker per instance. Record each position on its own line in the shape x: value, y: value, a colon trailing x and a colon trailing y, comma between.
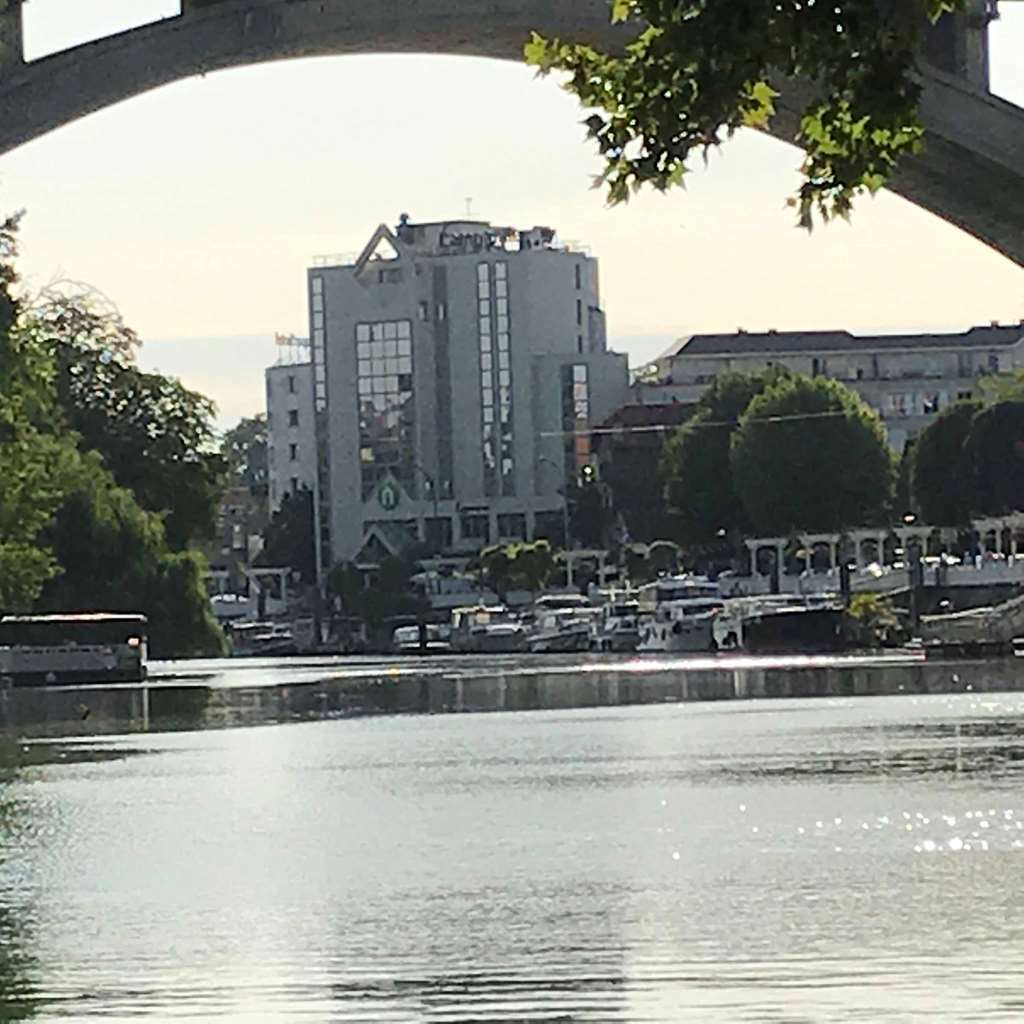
x: 909, y: 379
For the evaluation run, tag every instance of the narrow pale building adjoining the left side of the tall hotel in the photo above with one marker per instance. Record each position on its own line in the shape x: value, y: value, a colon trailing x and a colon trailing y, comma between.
x: 291, y: 432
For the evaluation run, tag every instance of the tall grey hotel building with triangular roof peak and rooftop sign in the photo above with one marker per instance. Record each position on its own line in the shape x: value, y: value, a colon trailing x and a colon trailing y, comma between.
x: 456, y: 370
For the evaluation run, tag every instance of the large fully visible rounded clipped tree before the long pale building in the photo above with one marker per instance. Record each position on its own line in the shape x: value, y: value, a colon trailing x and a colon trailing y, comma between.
x: 810, y: 455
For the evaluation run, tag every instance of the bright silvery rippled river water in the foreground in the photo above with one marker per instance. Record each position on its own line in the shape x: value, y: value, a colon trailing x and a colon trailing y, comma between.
x: 790, y: 861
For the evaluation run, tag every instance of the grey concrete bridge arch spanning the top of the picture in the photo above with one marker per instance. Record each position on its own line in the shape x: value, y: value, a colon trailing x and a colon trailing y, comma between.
x: 971, y: 175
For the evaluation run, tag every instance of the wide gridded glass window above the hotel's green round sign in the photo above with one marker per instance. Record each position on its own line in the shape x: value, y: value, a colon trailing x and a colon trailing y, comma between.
x: 388, y: 409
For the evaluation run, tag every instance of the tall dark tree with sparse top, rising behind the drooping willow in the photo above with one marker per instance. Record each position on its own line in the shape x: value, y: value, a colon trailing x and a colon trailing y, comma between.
x: 156, y: 437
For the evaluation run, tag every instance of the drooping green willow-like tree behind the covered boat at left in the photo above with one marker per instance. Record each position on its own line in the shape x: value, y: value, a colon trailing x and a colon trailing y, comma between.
x: 114, y: 556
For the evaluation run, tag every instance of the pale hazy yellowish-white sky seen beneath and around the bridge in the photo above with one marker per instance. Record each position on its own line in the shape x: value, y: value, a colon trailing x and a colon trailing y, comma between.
x: 198, y: 207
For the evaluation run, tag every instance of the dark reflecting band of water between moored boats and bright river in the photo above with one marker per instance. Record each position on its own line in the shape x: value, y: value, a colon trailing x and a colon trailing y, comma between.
x: 230, y: 694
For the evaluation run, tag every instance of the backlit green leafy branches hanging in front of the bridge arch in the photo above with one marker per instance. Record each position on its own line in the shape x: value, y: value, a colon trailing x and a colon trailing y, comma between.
x: 696, y: 72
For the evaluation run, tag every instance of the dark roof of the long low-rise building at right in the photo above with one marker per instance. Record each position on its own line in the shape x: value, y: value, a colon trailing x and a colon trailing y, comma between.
x: 838, y: 342
